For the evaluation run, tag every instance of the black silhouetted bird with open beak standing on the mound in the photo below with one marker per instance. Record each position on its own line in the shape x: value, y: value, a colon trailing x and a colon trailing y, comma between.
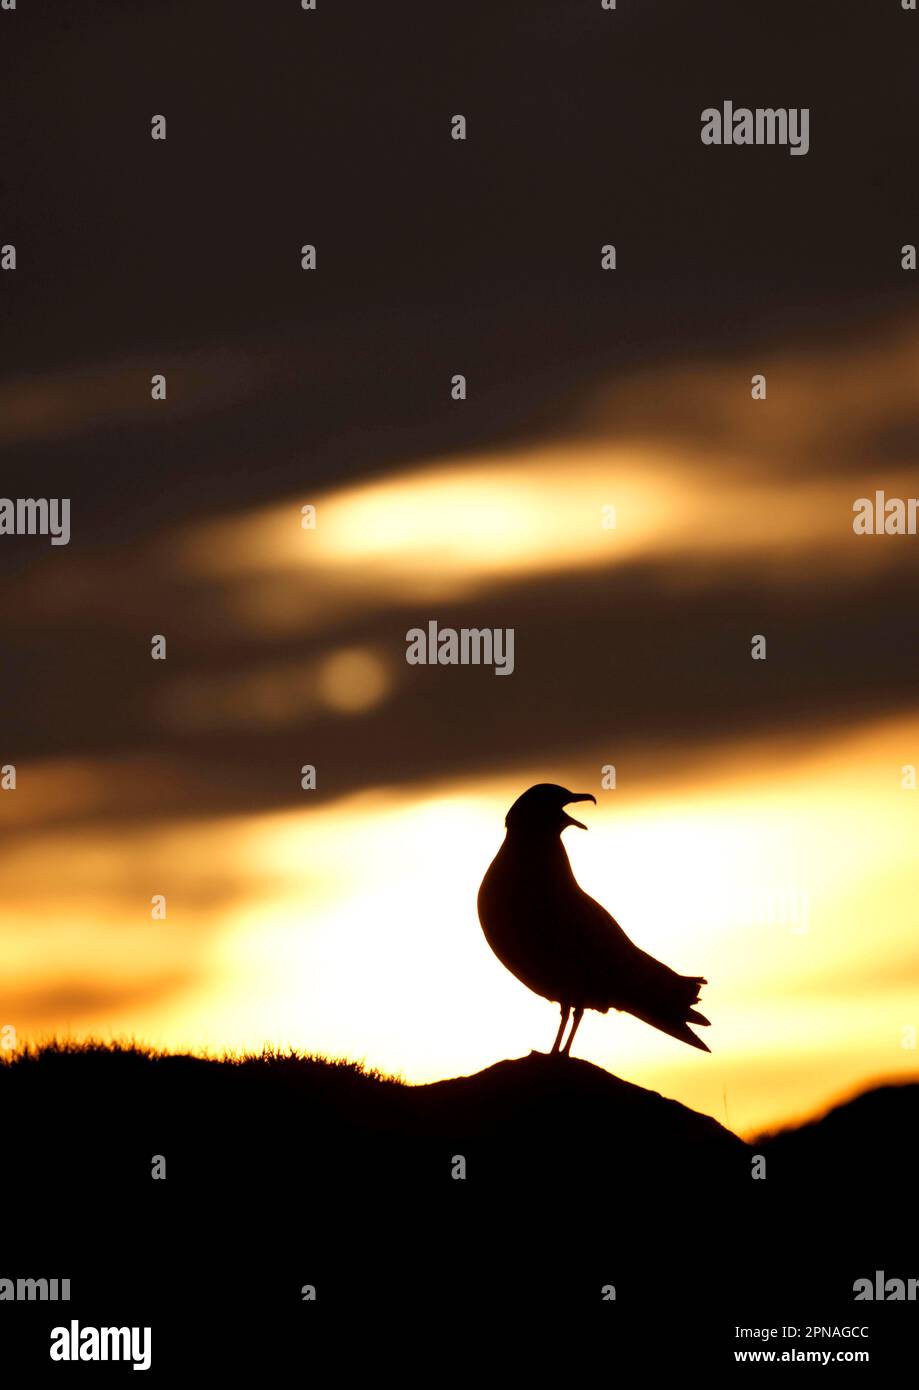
x: 560, y: 942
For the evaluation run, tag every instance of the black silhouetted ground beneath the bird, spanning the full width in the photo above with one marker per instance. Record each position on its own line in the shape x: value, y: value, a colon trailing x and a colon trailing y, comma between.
x: 507, y: 1172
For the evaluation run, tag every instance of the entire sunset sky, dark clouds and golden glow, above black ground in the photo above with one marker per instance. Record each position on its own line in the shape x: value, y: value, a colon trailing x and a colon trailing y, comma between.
x: 760, y: 833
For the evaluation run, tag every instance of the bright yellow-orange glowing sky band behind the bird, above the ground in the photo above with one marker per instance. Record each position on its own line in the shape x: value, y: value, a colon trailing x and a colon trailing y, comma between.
x: 354, y: 932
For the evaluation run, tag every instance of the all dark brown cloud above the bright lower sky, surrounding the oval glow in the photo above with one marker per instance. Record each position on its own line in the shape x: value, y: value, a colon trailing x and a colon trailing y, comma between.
x: 434, y: 258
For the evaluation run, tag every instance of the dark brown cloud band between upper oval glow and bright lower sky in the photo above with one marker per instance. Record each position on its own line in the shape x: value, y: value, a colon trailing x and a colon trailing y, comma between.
x: 610, y: 667
